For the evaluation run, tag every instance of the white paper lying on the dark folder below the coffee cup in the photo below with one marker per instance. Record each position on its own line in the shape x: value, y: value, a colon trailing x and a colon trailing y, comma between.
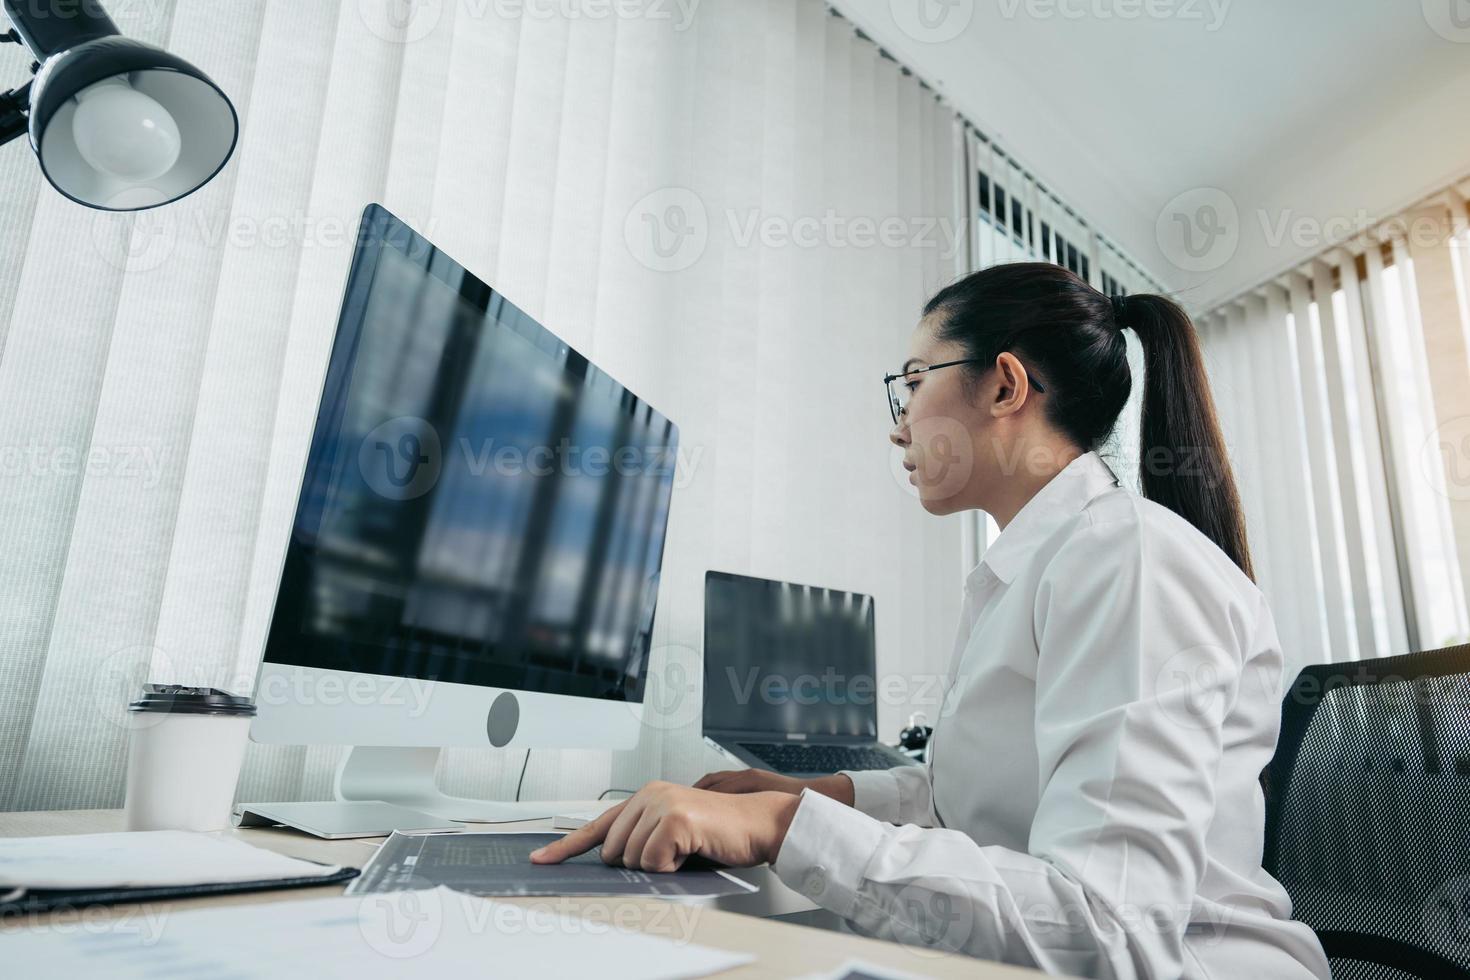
x: 143, y: 859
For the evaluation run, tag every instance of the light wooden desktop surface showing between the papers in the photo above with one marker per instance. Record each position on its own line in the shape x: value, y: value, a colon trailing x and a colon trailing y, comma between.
x: 783, y: 950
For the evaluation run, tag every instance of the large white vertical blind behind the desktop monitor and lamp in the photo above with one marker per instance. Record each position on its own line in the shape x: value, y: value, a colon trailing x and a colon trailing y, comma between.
x: 159, y: 372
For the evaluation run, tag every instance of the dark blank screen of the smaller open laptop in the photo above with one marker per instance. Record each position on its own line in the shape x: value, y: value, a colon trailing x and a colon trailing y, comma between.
x: 789, y: 659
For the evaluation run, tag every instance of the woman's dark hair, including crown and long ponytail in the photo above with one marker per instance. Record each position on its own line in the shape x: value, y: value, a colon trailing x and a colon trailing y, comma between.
x: 1072, y: 337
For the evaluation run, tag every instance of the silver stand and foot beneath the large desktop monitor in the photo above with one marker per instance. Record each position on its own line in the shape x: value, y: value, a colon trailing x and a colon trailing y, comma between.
x: 405, y: 778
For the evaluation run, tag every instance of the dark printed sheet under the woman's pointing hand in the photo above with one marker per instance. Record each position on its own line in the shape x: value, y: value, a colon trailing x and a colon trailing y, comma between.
x: 499, y: 865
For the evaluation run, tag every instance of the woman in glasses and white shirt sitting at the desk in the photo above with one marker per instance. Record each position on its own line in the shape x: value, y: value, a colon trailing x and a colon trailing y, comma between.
x: 1091, y: 804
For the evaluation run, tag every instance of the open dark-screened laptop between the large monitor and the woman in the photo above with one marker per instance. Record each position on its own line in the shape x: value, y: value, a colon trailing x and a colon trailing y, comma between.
x: 790, y: 678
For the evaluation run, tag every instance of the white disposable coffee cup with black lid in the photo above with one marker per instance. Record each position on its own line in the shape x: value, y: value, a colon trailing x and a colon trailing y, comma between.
x: 186, y: 747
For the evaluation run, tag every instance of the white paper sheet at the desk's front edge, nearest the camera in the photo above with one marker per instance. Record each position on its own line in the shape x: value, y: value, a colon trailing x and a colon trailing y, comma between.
x: 434, y: 934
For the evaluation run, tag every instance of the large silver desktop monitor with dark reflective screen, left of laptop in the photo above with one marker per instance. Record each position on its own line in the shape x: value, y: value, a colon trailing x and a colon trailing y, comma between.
x: 478, y: 537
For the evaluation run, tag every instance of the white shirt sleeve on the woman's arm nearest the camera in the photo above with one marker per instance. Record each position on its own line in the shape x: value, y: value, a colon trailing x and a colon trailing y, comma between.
x: 1136, y: 672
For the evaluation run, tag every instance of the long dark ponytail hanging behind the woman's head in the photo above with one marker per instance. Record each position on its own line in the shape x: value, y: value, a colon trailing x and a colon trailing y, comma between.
x: 1183, y: 458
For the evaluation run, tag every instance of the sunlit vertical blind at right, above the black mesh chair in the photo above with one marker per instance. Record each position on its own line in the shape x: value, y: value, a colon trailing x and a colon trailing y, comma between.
x: 1347, y: 412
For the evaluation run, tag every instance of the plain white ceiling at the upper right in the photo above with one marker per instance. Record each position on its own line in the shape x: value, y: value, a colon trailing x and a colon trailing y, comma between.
x: 1306, y: 118
